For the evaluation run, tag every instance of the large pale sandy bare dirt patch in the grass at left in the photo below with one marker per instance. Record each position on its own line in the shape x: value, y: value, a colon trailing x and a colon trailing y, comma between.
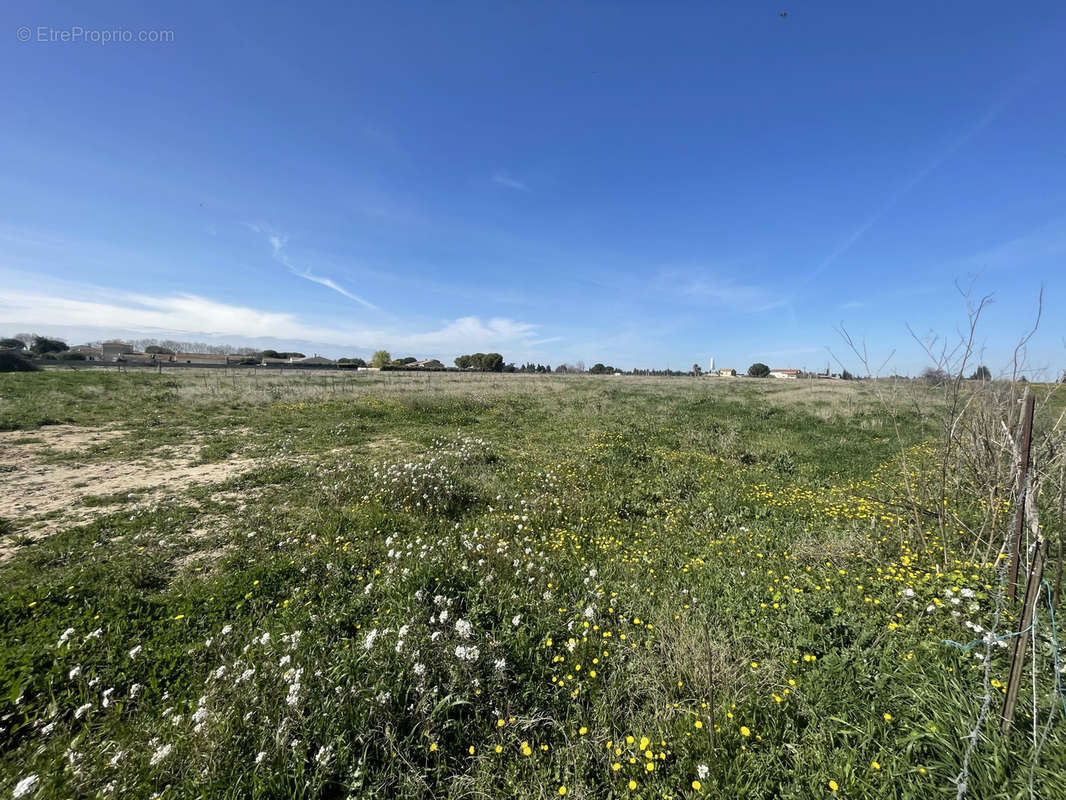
x: 43, y: 499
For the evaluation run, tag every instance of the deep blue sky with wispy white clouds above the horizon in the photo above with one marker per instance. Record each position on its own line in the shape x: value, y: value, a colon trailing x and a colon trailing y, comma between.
x: 640, y: 184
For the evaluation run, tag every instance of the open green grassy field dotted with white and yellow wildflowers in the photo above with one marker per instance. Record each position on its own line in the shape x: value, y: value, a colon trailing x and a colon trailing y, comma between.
x: 317, y: 586
